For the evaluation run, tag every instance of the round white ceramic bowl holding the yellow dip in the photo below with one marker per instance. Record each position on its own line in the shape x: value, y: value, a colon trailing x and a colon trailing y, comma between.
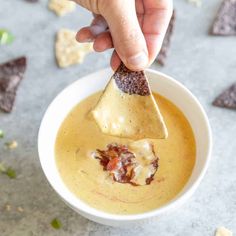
x: 73, y: 94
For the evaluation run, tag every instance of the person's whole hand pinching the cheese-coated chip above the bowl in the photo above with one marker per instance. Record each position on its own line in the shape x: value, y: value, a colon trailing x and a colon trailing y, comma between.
x: 135, y: 28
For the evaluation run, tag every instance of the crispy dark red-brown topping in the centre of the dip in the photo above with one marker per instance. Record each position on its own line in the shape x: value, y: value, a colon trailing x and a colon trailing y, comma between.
x: 121, y: 164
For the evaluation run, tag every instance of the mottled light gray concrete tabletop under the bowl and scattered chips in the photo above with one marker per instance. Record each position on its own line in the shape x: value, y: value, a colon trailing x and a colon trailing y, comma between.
x: 205, y: 64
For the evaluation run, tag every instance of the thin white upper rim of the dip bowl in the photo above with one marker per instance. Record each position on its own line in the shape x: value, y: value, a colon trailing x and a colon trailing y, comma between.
x: 158, y: 211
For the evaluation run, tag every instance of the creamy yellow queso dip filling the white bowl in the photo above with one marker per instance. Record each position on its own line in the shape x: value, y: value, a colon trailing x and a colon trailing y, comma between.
x: 79, y: 136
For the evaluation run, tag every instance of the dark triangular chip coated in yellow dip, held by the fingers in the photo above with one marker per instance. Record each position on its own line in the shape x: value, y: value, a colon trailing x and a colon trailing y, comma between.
x: 128, y: 109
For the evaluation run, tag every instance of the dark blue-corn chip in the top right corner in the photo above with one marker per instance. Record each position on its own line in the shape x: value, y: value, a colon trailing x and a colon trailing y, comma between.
x: 225, y: 22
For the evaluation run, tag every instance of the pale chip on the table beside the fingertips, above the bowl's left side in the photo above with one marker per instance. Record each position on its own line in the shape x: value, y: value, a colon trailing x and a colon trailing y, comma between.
x: 68, y: 50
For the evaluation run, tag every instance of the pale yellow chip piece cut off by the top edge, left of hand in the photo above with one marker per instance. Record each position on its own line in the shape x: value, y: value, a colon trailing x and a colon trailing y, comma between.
x: 61, y: 7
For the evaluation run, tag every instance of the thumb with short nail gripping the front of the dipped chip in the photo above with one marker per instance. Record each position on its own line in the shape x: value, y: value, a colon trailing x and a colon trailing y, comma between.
x: 127, y: 36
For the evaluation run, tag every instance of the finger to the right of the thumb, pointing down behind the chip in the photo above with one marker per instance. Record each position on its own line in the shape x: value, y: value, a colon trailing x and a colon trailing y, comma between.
x: 155, y: 23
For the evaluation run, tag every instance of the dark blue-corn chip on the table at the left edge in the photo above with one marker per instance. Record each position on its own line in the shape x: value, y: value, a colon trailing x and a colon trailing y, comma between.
x: 11, y: 74
